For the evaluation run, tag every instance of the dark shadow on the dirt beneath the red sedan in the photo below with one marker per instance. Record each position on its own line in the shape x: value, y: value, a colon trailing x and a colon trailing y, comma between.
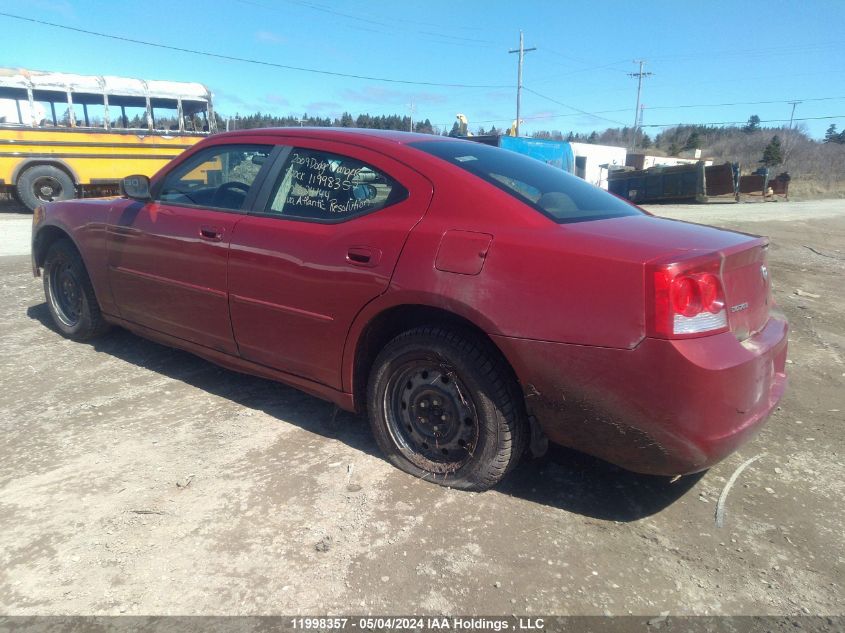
x: 563, y: 479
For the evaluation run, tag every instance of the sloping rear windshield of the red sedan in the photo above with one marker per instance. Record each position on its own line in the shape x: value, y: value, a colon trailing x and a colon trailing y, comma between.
x: 553, y: 192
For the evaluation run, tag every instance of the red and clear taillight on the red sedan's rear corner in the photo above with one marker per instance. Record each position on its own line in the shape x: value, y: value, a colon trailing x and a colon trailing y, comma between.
x: 688, y: 300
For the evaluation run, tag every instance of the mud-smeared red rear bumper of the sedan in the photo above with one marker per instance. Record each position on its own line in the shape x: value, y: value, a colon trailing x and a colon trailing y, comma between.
x: 665, y: 407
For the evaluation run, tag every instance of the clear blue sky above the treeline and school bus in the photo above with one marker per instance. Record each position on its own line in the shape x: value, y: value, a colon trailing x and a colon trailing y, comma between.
x: 701, y: 54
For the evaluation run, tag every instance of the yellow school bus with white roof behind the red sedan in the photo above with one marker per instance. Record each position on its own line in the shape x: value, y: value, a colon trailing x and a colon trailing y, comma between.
x: 65, y: 136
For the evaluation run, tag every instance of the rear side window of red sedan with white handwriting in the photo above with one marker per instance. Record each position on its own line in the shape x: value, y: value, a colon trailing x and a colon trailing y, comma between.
x: 317, y: 185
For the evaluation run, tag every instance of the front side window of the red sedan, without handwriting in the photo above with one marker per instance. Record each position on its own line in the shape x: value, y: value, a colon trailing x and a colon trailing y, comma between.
x: 218, y: 177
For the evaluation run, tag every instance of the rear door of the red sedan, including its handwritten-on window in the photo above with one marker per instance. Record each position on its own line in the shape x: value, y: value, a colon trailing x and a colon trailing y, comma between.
x: 323, y: 242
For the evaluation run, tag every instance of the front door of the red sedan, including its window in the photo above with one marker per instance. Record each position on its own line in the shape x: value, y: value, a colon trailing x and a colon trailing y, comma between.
x: 167, y: 258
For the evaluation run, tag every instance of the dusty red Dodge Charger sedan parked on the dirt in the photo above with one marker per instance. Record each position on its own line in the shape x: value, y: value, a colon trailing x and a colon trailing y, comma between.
x: 472, y: 300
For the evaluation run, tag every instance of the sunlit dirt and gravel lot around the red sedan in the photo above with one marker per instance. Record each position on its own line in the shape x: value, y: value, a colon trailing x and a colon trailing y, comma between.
x: 139, y: 479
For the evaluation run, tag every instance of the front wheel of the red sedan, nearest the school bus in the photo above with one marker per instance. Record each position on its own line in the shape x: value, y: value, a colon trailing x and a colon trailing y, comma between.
x: 69, y: 293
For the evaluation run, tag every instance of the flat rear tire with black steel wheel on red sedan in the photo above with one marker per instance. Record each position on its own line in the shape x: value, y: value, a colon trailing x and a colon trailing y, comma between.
x: 445, y: 407
